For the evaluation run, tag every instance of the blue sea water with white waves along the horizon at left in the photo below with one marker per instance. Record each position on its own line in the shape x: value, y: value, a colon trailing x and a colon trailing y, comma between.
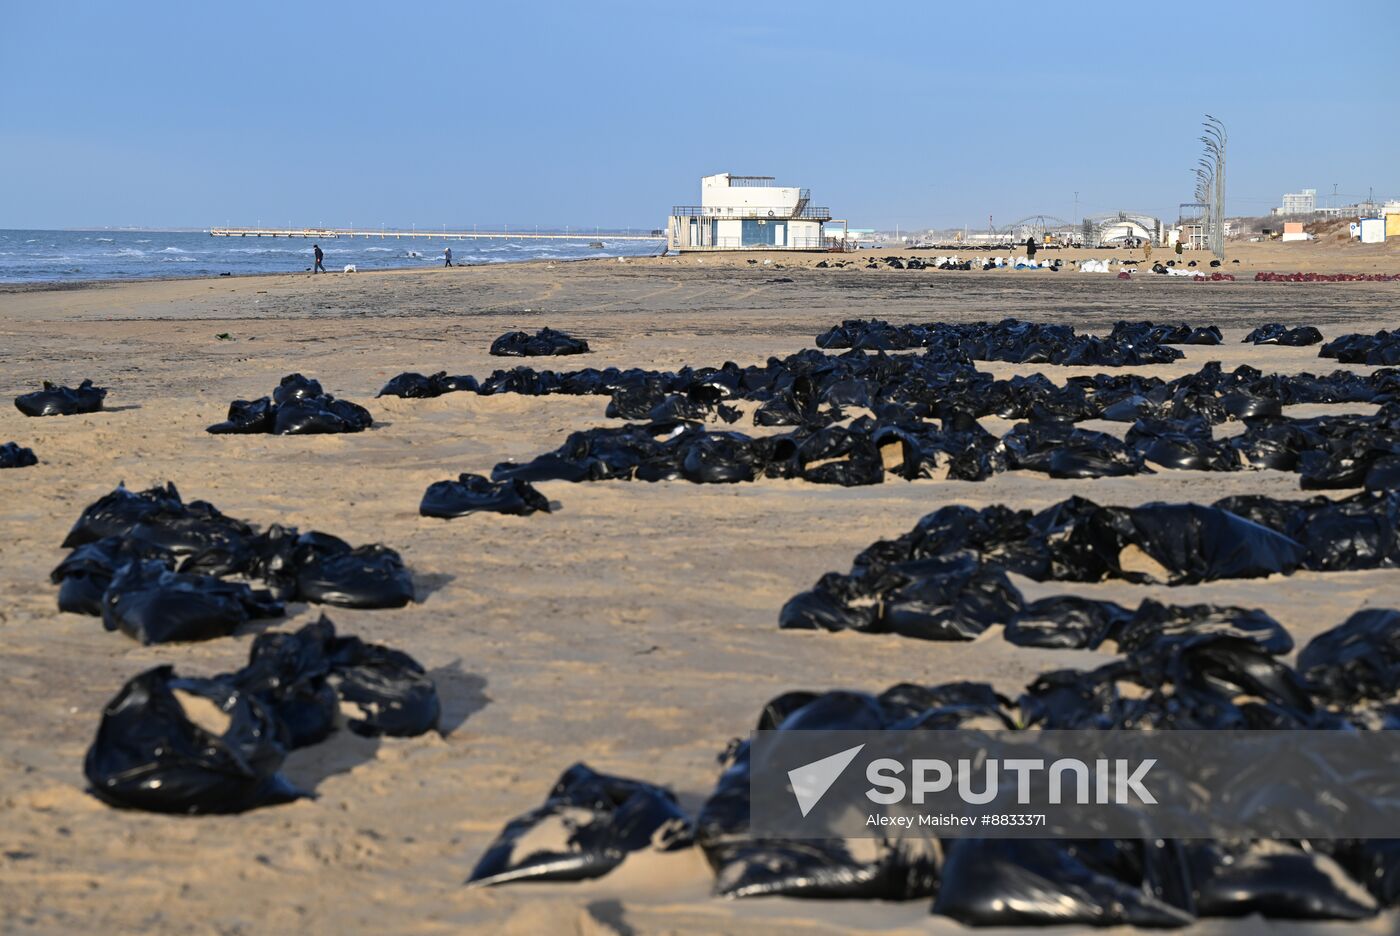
x: 64, y: 257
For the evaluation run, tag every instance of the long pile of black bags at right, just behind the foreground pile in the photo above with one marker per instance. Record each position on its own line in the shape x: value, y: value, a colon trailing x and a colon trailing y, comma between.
x: 947, y: 579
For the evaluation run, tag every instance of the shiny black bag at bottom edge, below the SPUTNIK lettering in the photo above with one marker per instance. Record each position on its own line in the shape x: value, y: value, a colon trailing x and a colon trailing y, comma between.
x: 1028, y: 882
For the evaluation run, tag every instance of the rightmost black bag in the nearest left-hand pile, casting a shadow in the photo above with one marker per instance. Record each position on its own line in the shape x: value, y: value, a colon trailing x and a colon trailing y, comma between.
x: 391, y: 692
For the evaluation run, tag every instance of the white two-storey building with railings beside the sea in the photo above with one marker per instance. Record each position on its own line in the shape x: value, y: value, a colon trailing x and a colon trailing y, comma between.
x: 747, y: 213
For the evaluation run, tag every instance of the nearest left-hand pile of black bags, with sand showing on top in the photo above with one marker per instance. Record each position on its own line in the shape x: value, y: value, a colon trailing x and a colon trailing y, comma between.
x: 216, y: 745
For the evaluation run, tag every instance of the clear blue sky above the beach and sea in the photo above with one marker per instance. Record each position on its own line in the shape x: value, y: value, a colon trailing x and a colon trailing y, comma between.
x: 552, y: 114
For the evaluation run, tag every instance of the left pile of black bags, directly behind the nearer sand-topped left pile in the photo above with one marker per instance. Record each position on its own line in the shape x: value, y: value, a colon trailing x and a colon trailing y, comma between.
x: 156, y: 569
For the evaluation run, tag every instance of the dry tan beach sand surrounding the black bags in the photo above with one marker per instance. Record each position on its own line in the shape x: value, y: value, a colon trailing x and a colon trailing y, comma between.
x: 633, y: 630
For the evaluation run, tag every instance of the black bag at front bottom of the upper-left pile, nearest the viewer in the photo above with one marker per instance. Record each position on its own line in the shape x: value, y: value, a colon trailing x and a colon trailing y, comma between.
x: 149, y: 602
